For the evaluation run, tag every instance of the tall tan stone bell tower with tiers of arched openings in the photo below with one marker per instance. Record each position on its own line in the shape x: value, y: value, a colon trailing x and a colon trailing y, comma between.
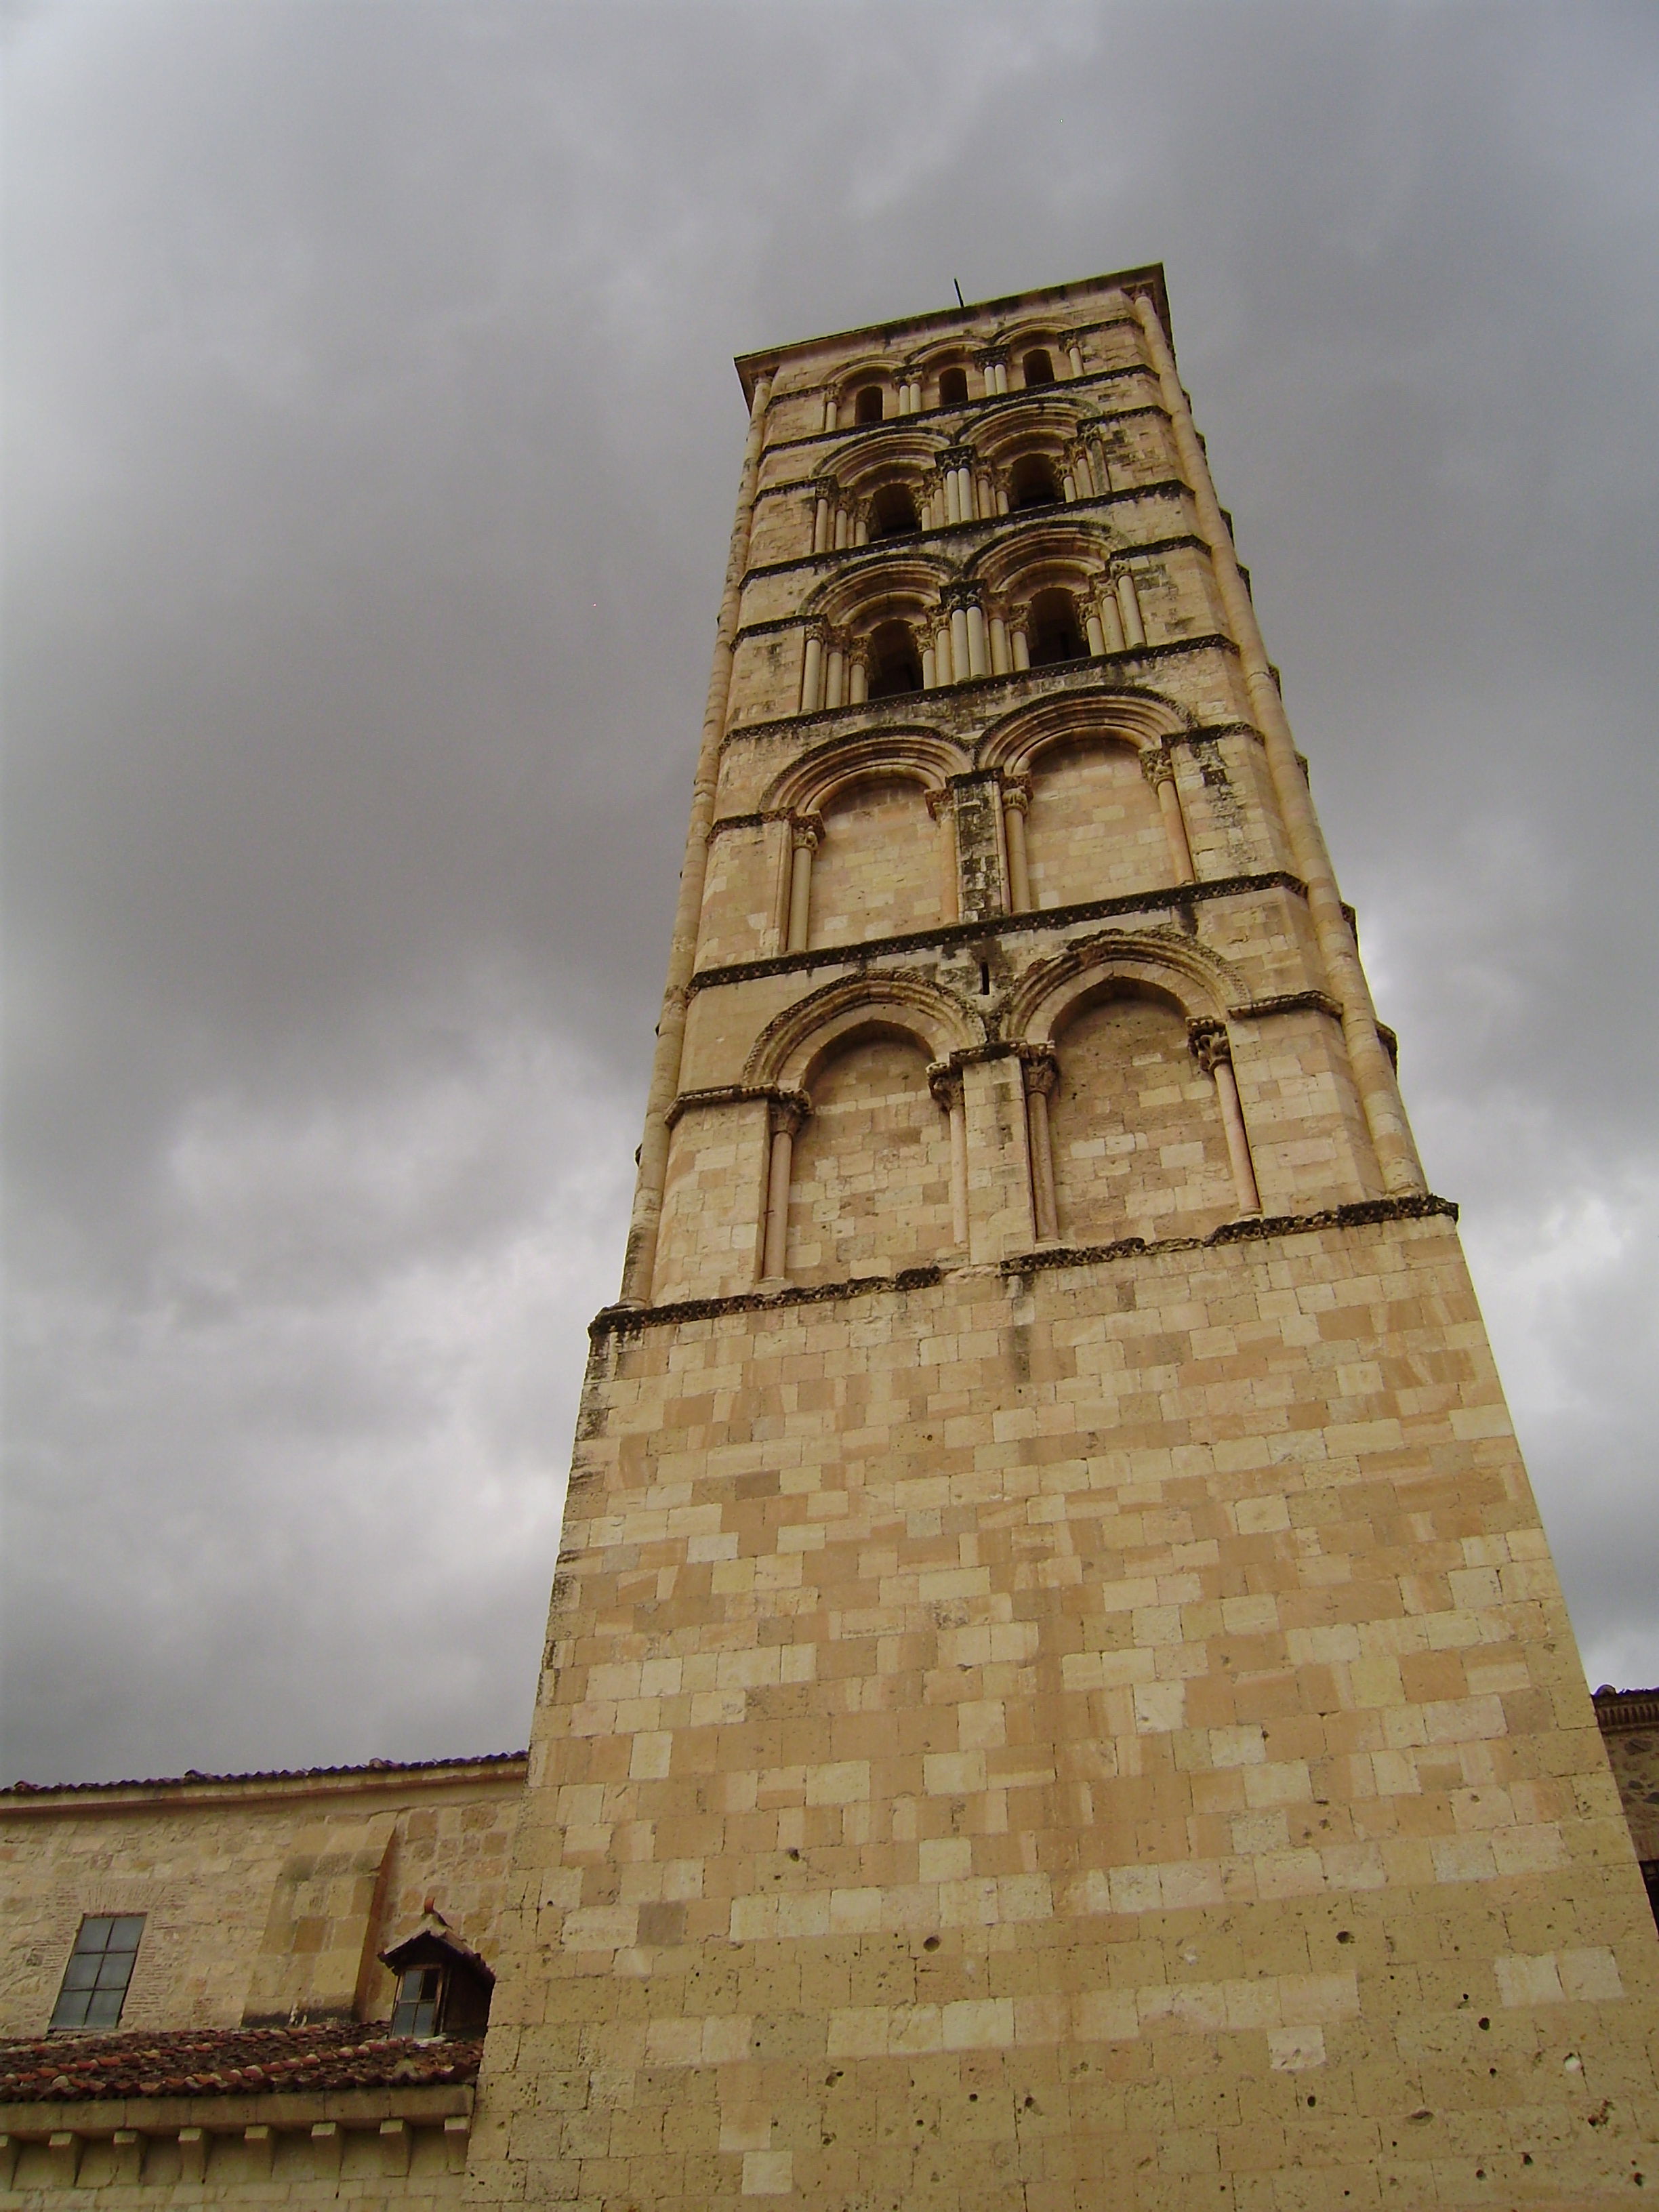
x: 1056, y: 1691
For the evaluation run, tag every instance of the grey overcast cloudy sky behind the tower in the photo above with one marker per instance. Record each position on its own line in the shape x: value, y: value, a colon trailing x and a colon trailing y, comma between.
x: 373, y: 439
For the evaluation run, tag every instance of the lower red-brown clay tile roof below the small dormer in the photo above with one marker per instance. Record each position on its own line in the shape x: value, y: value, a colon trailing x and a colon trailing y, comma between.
x: 229, y: 2063
